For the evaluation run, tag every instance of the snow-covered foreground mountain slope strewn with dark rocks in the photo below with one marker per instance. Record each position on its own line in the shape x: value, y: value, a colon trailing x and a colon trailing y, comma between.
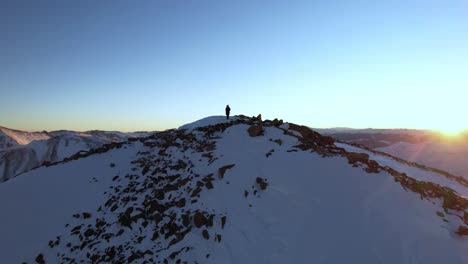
x: 214, y: 194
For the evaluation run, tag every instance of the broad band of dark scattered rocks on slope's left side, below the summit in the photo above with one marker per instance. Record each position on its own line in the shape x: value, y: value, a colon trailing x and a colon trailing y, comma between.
x: 154, y: 205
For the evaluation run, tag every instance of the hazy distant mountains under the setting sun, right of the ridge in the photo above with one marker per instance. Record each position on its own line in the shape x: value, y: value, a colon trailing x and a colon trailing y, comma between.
x: 429, y: 148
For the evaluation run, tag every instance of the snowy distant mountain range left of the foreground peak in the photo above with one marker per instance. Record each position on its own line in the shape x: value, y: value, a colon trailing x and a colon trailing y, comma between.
x: 21, y: 151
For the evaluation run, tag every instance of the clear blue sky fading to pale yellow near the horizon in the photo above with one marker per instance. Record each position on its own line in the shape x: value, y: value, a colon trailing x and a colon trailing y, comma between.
x: 150, y: 65
